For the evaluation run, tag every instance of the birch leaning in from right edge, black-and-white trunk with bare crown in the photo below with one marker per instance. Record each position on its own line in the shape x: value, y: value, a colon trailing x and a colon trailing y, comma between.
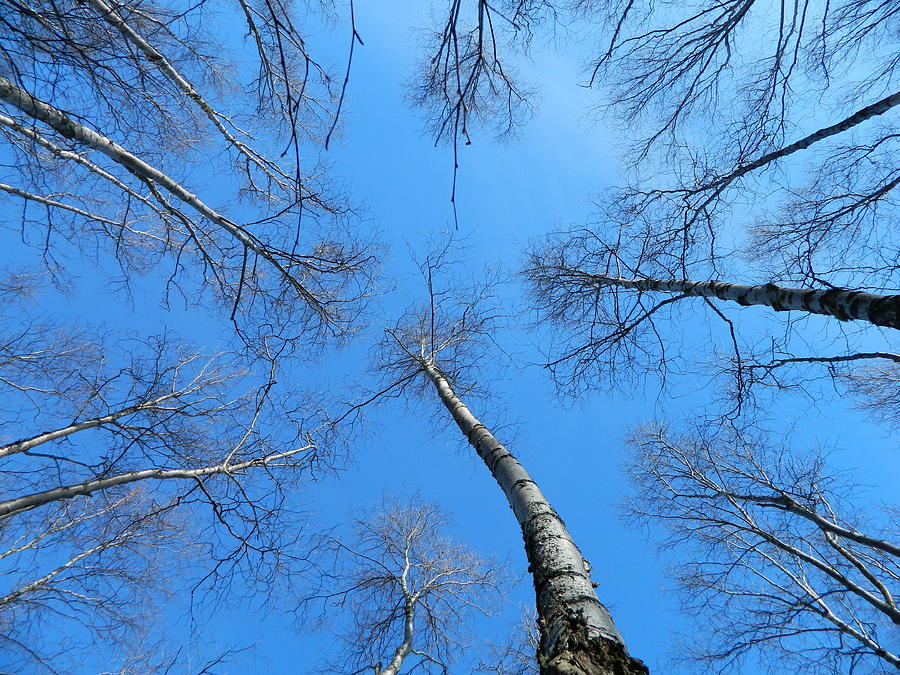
x: 615, y: 321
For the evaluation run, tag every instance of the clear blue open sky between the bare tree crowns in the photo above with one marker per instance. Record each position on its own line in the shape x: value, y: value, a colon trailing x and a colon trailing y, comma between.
x: 509, y: 194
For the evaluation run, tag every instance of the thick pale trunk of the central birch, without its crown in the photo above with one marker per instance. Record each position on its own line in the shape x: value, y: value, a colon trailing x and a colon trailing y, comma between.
x: 577, y: 634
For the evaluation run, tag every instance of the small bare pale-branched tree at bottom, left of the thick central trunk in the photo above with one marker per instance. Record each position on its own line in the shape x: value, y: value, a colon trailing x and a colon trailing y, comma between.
x: 407, y: 588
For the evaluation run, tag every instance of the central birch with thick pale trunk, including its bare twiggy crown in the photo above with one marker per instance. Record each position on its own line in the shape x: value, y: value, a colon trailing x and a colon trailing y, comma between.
x: 577, y: 634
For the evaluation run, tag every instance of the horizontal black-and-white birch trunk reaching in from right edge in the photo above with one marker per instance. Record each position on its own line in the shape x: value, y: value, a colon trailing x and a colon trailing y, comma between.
x: 881, y: 310
